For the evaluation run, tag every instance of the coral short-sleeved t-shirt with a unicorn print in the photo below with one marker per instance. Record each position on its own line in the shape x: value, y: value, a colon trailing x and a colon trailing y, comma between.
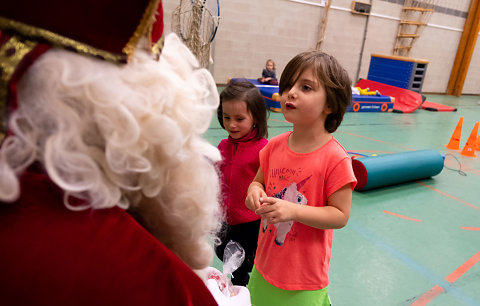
x: 291, y: 255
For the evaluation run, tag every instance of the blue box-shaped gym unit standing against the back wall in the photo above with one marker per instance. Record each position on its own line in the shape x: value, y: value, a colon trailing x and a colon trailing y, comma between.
x: 399, y: 71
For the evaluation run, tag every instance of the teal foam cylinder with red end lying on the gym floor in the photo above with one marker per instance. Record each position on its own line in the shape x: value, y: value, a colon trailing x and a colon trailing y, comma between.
x: 390, y: 169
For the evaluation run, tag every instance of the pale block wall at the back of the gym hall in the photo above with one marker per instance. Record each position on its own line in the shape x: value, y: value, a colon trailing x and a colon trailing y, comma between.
x: 251, y: 31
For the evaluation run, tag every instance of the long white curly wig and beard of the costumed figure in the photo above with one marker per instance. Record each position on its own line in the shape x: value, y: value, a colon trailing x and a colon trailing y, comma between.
x: 123, y: 135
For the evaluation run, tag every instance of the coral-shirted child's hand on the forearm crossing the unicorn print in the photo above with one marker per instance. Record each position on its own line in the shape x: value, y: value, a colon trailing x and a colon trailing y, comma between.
x: 276, y: 210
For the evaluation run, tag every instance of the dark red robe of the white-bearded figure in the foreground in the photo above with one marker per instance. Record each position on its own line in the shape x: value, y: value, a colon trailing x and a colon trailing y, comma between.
x: 54, y: 256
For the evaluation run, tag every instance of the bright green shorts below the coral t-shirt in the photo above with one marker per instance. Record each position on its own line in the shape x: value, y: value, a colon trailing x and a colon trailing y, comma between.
x: 264, y: 294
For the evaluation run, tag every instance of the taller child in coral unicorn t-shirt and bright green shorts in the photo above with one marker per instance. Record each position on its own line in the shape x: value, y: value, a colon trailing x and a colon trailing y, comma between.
x: 303, y: 188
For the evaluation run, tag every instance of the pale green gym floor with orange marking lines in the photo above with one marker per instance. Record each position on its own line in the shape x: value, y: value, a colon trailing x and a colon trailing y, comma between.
x: 414, y: 243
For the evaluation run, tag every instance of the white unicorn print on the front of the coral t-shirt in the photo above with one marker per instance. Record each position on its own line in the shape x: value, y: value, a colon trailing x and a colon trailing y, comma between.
x: 290, y: 194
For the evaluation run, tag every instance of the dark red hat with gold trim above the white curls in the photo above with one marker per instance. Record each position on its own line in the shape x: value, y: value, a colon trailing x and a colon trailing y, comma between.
x: 106, y: 29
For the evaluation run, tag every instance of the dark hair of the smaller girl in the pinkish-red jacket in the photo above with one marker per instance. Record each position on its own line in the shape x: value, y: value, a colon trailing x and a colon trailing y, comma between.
x: 245, y: 91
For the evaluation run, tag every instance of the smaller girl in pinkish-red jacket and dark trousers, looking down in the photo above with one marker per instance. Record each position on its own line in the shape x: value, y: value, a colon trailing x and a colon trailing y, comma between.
x: 243, y: 115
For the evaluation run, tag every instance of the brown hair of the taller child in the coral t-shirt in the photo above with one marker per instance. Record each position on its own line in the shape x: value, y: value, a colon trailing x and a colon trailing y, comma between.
x: 328, y: 72
